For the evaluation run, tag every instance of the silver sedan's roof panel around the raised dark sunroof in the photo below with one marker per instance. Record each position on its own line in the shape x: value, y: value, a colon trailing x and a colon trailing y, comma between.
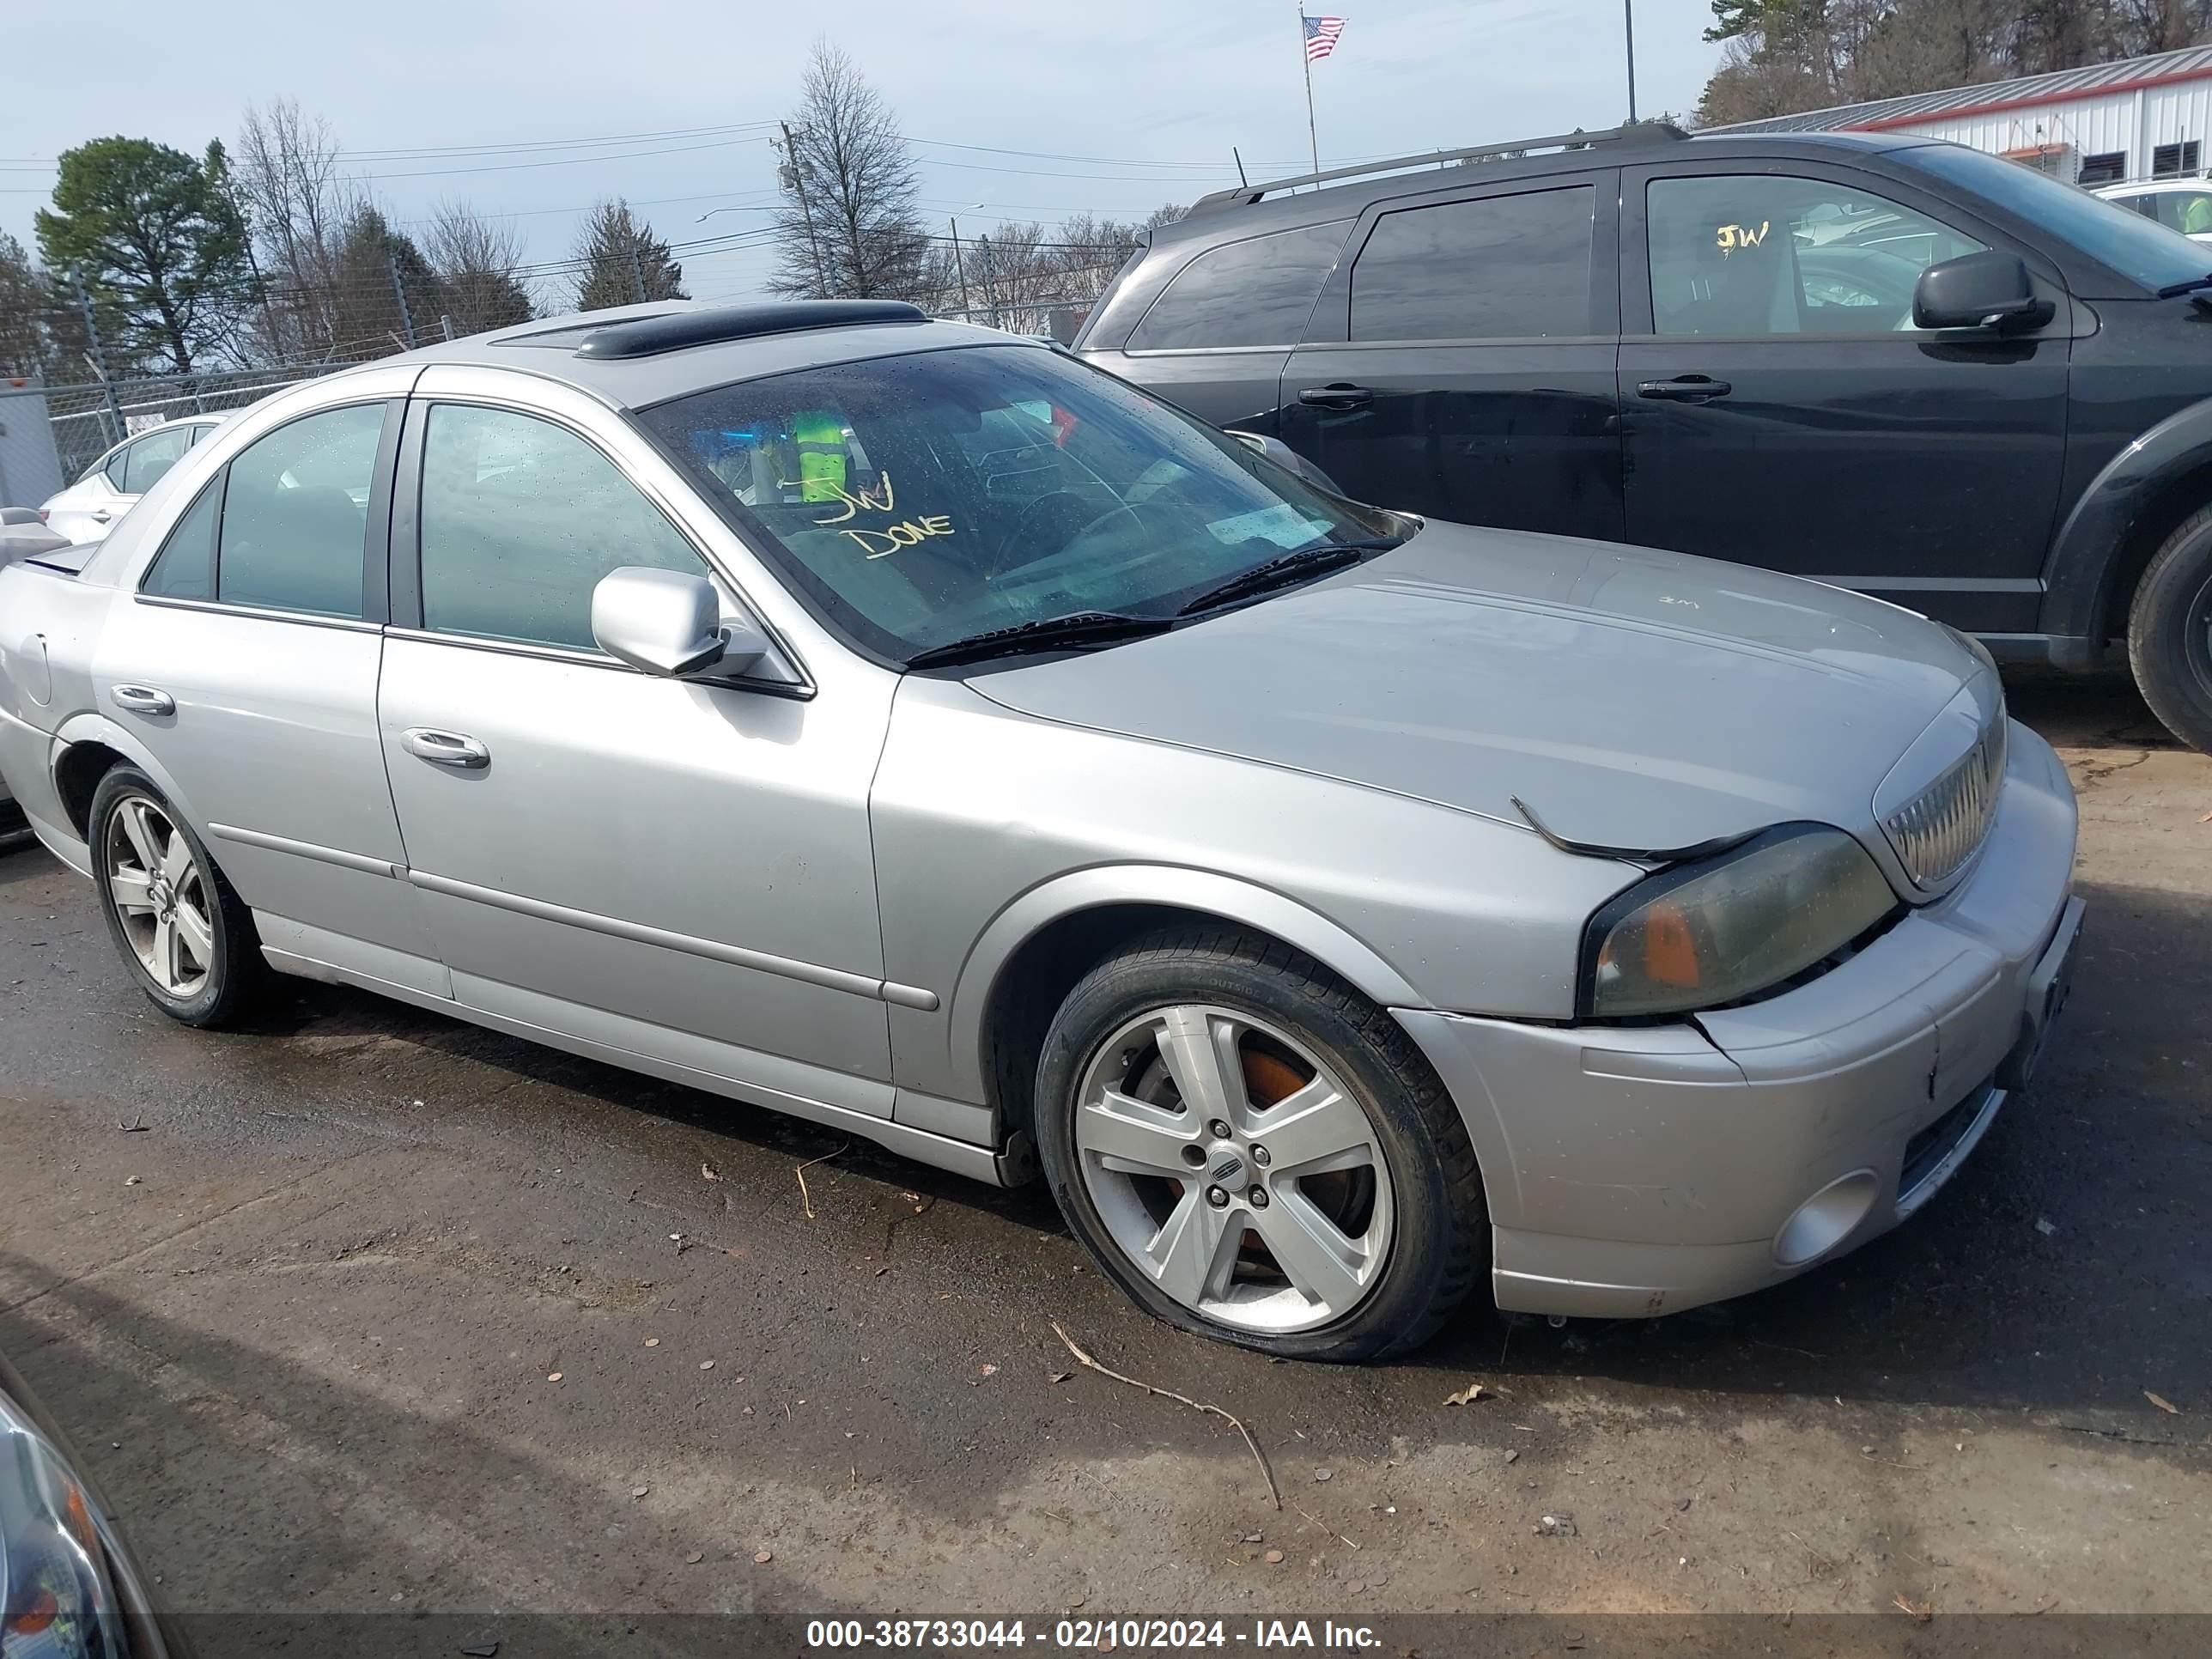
x: 762, y: 340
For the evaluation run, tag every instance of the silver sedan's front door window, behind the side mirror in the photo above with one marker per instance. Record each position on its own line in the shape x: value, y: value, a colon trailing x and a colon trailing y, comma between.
x: 521, y: 519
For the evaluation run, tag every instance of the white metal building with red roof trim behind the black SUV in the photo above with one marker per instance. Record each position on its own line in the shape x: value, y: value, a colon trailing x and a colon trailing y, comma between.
x: 2131, y: 121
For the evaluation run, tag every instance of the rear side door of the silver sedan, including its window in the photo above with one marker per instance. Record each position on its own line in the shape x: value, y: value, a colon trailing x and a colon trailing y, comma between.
x: 247, y: 667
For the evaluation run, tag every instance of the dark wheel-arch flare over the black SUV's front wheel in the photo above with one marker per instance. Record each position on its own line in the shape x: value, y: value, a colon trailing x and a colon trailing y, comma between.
x: 2083, y: 565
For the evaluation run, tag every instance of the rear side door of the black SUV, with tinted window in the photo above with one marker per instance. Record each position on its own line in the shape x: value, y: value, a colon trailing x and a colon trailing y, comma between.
x: 1461, y: 359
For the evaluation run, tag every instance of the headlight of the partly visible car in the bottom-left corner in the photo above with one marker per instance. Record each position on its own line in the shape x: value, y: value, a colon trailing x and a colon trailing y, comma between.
x: 56, y: 1596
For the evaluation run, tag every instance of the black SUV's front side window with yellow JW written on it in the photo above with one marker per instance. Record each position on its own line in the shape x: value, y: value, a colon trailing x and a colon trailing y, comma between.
x: 1749, y: 255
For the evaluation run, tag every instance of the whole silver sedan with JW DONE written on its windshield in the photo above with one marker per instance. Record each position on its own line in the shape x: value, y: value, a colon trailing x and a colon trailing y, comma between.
x: 924, y: 733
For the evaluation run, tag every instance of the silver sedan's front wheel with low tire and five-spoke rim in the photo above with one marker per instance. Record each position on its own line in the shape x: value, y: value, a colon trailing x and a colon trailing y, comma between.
x: 1258, y: 1154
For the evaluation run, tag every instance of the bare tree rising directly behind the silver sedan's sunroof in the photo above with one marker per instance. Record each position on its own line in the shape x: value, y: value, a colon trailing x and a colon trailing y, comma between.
x: 851, y: 227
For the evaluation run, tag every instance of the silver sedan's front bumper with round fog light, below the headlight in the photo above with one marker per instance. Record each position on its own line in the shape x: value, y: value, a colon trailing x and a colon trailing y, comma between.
x: 1638, y: 1171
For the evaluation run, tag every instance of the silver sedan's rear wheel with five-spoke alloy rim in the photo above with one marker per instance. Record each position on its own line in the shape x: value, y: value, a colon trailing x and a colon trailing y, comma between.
x: 180, y: 928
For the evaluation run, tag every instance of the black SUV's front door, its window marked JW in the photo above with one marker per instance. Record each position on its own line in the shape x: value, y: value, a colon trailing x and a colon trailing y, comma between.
x: 1784, y: 410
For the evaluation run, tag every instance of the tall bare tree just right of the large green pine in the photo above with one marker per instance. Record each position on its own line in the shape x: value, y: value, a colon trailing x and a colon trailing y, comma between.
x: 298, y: 202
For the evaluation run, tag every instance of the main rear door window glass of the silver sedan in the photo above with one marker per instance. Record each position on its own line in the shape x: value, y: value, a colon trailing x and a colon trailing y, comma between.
x: 298, y: 514
